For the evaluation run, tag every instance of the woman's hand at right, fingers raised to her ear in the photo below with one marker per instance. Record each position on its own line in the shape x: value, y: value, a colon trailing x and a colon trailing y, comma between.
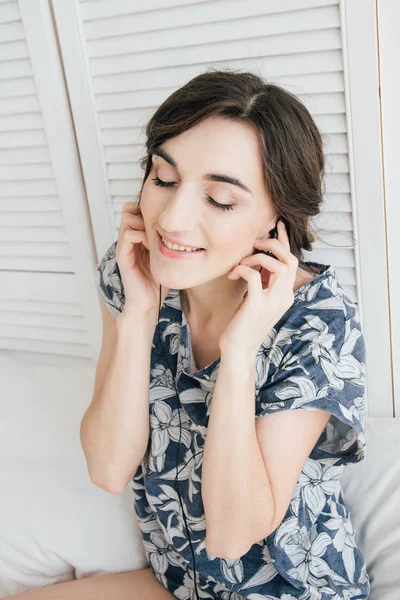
x: 262, y: 308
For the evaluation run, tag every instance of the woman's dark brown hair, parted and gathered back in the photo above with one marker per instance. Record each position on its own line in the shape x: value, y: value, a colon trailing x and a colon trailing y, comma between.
x: 290, y: 143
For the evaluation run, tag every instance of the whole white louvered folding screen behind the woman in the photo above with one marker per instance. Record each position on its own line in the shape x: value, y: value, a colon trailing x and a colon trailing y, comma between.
x: 120, y: 60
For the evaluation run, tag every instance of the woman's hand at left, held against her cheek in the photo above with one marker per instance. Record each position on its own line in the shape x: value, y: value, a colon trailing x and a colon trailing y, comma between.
x: 142, y: 292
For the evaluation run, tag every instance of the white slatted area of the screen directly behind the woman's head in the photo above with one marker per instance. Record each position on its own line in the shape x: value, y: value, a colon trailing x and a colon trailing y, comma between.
x: 138, y: 53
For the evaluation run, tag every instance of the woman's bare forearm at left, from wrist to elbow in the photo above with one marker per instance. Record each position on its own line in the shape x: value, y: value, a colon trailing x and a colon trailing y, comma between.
x: 115, y: 428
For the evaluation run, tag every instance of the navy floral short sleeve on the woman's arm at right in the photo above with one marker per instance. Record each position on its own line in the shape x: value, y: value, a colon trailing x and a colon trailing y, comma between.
x: 320, y: 364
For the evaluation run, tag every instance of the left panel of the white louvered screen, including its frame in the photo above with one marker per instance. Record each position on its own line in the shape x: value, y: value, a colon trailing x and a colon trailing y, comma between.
x: 44, y: 229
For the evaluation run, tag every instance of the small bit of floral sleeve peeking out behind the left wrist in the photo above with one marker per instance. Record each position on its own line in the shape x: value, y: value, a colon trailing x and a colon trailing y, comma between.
x: 109, y: 281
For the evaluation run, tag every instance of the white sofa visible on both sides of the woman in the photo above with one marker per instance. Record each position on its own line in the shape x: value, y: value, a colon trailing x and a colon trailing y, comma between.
x: 56, y: 525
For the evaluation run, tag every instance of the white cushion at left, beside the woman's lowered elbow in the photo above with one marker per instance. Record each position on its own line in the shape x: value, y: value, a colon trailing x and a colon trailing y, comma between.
x: 55, y: 524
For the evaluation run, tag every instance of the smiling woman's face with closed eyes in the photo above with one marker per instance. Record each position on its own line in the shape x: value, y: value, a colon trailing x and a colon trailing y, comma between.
x: 184, y: 211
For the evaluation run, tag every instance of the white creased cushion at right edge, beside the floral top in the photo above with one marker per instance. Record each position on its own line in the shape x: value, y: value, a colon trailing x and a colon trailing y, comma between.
x: 371, y: 489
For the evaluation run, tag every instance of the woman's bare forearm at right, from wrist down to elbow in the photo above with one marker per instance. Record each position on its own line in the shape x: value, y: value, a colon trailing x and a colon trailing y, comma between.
x: 236, y: 492
